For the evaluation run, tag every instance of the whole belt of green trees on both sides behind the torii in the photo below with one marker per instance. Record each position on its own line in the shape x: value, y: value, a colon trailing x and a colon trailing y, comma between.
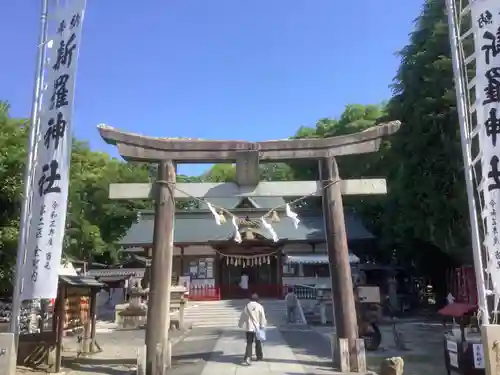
x: 422, y: 163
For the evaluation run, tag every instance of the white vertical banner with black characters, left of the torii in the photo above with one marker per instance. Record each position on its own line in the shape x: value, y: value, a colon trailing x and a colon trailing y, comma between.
x: 51, y: 167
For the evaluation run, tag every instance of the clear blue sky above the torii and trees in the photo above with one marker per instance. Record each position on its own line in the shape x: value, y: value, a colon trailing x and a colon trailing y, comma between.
x: 218, y: 69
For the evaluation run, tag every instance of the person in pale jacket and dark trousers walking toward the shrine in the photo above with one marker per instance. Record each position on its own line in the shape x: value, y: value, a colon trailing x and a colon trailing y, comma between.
x: 253, y: 321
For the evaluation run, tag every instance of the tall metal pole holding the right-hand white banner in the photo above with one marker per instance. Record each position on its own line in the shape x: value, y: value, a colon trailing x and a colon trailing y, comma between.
x: 466, y: 152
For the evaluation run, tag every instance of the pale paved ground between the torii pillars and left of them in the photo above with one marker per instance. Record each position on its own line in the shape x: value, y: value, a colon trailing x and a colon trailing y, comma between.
x: 209, y: 351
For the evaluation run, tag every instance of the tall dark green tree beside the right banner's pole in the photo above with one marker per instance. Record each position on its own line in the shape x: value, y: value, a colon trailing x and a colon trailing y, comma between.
x: 427, y: 199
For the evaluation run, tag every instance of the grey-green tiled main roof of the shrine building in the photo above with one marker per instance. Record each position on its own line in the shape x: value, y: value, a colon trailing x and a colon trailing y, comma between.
x: 200, y: 227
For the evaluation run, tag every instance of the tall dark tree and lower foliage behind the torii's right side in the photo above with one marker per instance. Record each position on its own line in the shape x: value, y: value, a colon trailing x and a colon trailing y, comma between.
x: 422, y: 163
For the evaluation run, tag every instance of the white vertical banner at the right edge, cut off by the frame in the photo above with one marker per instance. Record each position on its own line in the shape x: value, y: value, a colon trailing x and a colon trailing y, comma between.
x: 486, y: 28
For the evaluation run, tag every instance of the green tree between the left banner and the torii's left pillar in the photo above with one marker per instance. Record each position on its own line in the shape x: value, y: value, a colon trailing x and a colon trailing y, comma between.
x: 94, y: 222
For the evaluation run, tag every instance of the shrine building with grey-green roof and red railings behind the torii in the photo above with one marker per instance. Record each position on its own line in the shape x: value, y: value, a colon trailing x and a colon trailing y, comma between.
x: 208, y: 258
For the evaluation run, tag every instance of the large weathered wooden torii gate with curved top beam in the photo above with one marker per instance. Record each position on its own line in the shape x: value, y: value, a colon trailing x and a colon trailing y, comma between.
x: 168, y: 152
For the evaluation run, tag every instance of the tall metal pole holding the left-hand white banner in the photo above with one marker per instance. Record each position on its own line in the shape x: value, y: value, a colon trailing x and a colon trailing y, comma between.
x: 28, y: 171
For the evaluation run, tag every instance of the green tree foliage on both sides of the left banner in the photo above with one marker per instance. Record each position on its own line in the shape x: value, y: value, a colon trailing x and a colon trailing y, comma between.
x: 94, y: 223
